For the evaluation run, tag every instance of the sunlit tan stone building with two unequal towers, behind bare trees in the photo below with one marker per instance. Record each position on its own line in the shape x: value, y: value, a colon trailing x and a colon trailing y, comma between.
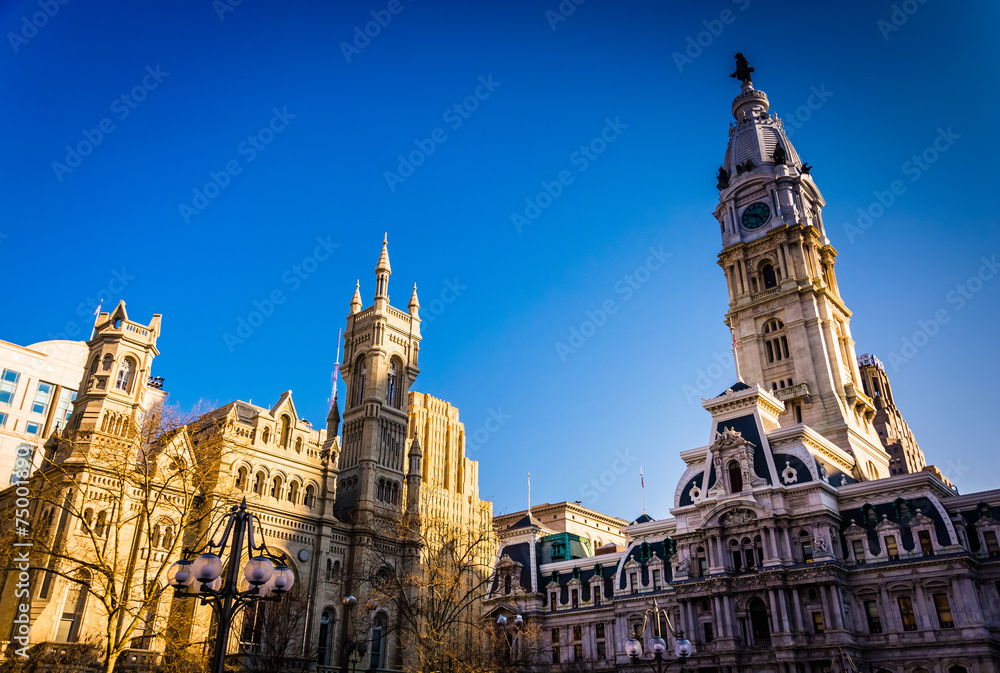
x: 323, y: 500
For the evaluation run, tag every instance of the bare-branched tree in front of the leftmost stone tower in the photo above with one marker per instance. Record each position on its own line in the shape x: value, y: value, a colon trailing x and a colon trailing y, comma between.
x: 110, y: 512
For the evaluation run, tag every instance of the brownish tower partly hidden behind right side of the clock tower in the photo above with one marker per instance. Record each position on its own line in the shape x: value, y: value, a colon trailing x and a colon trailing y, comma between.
x: 905, y: 455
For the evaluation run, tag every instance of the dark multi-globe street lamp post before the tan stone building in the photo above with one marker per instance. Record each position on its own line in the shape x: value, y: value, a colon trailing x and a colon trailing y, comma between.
x: 266, y: 573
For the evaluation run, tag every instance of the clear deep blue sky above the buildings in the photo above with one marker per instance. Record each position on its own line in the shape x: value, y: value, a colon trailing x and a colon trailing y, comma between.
x: 154, y: 99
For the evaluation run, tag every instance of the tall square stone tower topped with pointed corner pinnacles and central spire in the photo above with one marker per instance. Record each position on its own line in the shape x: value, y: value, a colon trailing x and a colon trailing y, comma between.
x: 381, y: 347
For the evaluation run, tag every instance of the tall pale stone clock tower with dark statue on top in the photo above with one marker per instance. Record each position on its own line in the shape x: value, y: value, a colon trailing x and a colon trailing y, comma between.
x: 790, y: 325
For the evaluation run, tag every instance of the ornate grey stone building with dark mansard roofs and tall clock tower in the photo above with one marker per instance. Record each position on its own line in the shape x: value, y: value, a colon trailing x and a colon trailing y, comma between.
x: 791, y: 544
